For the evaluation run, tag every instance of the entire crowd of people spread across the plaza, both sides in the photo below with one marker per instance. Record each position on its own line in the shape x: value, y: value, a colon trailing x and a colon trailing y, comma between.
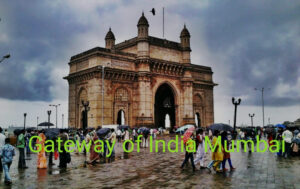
x: 218, y: 157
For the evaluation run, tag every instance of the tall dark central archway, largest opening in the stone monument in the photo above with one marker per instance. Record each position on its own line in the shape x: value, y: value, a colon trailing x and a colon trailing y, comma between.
x: 164, y: 105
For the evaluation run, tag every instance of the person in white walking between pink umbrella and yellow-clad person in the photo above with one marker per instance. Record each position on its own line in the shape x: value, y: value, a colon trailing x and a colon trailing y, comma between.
x: 200, y: 149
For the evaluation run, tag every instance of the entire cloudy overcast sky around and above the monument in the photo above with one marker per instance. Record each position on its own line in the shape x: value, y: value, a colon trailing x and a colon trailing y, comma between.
x: 249, y: 44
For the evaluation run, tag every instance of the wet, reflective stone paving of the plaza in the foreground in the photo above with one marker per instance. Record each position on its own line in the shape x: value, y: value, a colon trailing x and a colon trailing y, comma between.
x: 156, y: 170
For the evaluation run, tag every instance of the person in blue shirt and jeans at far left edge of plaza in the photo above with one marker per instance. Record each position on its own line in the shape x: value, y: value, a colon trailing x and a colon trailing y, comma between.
x: 7, y: 152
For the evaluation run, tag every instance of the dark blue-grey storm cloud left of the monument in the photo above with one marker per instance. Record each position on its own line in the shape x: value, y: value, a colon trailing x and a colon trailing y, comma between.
x: 36, y: 36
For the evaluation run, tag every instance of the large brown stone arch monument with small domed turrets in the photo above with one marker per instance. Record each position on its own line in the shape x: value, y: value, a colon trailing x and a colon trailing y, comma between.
x: 146, y: 80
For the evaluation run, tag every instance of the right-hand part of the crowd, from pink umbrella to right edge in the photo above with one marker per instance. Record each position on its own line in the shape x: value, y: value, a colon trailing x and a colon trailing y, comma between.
x: 291, y: 138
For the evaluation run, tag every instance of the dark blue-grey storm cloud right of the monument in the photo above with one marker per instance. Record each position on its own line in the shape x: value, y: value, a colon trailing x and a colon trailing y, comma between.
x: 259, y: 41
